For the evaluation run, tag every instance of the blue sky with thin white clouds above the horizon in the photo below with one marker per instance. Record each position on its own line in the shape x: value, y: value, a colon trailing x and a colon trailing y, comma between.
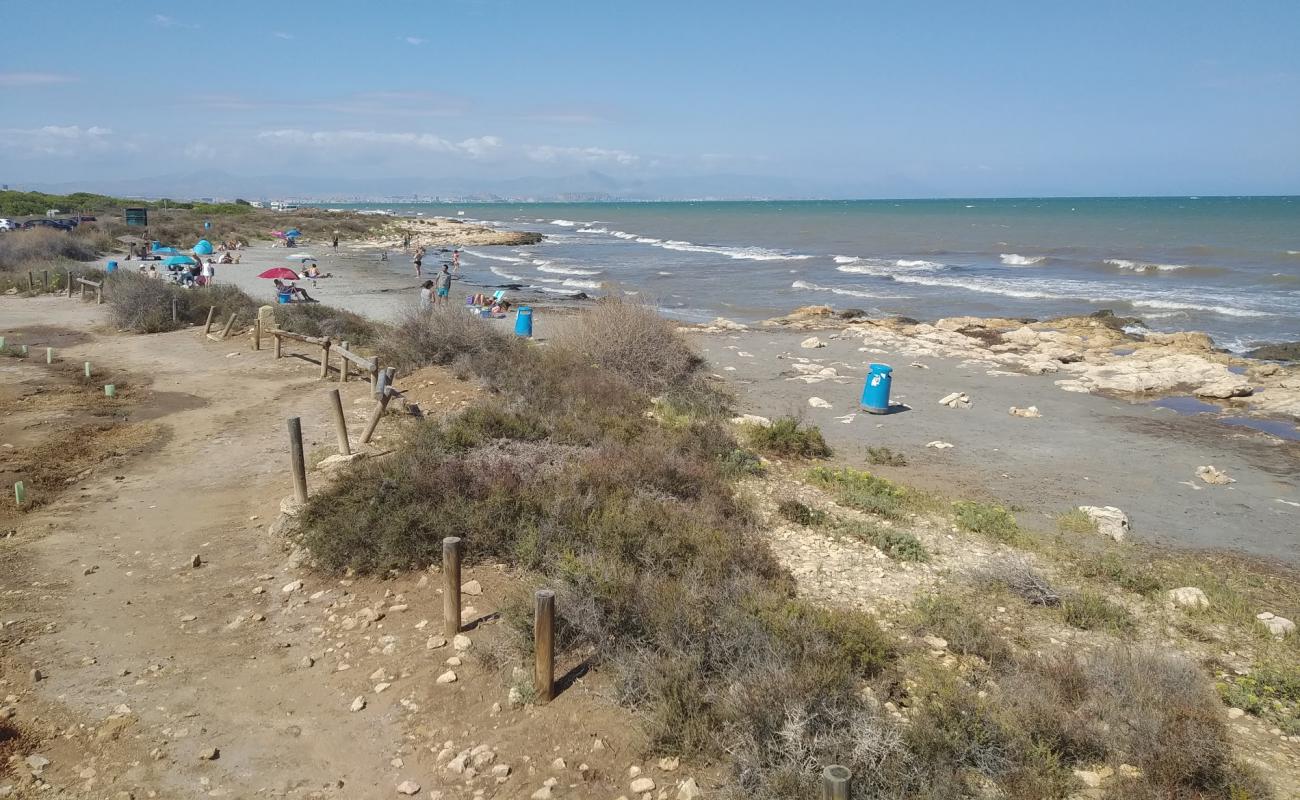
x: 822, y: 98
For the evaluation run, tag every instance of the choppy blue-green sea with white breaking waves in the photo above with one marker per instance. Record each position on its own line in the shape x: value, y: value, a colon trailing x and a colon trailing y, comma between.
x: 1229, y: 267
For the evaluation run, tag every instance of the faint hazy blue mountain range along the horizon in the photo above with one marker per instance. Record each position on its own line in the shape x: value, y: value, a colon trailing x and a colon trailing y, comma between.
x: 582, y: 187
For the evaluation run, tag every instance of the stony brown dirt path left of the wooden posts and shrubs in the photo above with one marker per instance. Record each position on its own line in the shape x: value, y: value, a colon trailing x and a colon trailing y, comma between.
x: 151, y: 664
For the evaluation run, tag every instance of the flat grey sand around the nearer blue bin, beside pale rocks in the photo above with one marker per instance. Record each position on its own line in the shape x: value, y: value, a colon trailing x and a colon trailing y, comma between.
x: 1085, y: 451
